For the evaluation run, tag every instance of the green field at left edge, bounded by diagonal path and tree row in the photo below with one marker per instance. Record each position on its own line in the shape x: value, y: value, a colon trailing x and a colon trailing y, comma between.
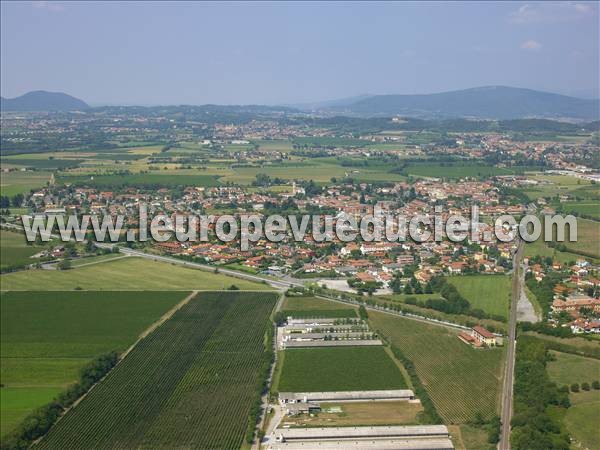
x: 47, y: 337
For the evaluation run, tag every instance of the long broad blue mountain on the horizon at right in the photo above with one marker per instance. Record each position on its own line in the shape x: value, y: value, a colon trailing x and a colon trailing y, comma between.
x: 491, y: 102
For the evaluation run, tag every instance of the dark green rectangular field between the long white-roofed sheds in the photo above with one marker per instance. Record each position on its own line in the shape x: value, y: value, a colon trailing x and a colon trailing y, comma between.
x: 339, y: 369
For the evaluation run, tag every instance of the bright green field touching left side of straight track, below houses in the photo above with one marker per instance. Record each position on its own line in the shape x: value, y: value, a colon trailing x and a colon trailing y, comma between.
x: 491, y: 293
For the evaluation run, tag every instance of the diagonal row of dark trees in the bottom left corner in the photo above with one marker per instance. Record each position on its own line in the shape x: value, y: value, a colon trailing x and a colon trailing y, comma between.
x: 39, y: 422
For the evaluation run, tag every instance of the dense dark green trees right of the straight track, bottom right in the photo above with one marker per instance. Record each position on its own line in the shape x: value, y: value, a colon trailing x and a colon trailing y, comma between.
x: 533, y: 426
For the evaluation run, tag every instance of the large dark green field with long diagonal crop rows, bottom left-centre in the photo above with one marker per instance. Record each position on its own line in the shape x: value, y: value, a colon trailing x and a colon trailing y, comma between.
x: 208, y: 360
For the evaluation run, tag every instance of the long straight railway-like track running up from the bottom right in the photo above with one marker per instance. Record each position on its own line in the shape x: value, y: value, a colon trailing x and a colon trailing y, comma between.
x: 507, y: 390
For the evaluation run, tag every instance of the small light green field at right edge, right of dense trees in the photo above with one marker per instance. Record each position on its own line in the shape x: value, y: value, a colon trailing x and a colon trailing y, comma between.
x: 568, y: 369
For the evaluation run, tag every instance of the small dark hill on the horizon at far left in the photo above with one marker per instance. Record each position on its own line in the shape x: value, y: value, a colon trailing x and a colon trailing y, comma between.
x: 43, y: 101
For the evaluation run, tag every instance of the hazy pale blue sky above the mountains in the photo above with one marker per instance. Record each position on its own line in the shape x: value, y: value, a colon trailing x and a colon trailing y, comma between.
x: 290, y: 53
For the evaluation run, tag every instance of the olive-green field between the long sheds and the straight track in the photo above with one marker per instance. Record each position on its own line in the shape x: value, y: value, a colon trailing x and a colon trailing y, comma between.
x: 461, y: 380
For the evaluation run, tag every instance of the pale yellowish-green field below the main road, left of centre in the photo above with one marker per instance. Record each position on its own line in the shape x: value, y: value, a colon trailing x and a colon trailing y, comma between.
x: 127, y: 274
